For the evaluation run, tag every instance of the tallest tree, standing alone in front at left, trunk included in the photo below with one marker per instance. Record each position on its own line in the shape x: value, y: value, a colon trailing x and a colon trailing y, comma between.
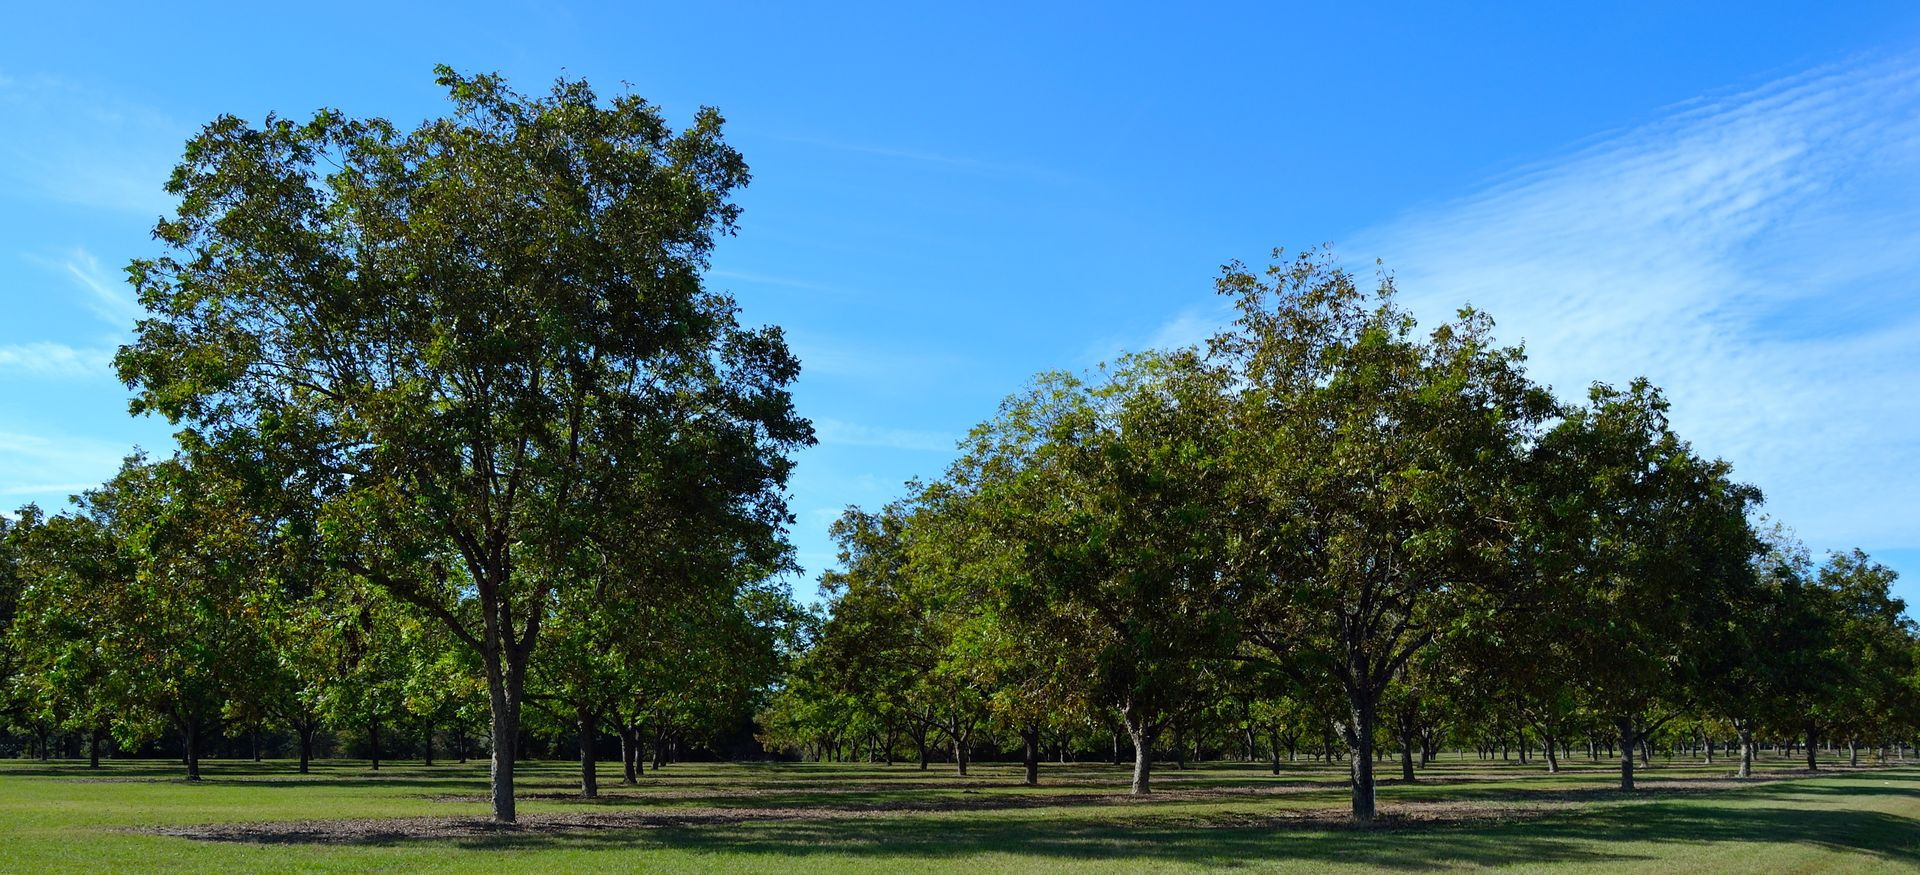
x: 481, y: 341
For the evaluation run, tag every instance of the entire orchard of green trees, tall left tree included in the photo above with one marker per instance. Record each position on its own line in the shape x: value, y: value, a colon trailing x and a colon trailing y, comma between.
x: 460, y: 421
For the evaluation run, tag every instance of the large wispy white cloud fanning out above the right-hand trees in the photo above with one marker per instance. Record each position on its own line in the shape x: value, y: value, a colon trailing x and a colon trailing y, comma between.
x: 1754, y: 254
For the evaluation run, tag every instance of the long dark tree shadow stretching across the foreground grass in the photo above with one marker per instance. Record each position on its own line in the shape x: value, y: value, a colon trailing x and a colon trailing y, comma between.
x: 1214, y: 840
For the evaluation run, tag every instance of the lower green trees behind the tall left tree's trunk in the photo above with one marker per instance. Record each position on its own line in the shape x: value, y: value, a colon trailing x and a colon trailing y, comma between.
x: 158, y: 609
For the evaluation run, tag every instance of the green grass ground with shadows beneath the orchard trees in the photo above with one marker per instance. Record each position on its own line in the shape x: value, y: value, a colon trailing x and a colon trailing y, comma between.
x: 875, y: 818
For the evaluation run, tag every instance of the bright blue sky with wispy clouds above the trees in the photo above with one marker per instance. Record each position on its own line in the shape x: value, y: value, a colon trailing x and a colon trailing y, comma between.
x: 1719, y: 197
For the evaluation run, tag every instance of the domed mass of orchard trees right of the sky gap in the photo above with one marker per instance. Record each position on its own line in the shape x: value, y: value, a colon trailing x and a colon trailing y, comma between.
x: 1332, y: 521
